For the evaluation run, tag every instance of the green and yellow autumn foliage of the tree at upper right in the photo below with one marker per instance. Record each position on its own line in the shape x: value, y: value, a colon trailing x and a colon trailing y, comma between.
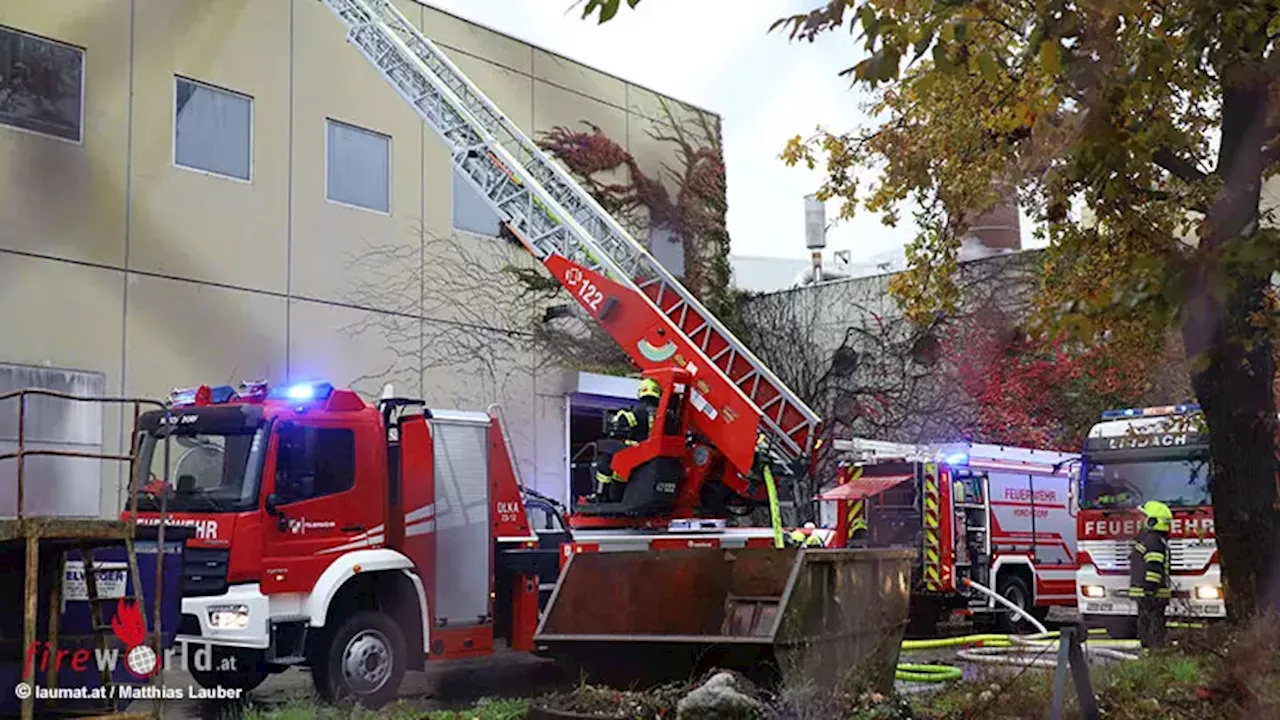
x: 1104, y: 106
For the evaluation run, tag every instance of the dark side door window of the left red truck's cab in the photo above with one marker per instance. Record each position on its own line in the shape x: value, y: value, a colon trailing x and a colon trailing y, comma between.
x: 316, y: 463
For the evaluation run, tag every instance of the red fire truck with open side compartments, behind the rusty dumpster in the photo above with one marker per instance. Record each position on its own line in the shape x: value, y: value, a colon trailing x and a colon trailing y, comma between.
x: 1000, y: 517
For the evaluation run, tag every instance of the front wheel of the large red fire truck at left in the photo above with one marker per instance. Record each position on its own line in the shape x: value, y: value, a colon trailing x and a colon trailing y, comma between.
x: 363, y: 662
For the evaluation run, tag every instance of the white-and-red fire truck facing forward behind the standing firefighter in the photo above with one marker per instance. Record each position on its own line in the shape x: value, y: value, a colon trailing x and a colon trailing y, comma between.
x: 1132, y: 457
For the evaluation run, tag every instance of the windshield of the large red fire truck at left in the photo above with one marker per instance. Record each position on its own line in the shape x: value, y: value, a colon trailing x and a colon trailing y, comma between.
x: 208, y: 472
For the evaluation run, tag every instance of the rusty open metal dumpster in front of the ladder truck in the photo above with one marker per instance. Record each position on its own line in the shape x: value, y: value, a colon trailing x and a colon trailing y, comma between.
x: 834, y: 618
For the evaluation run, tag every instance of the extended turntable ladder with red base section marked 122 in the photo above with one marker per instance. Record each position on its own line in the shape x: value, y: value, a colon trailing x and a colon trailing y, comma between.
x: 656, y: 320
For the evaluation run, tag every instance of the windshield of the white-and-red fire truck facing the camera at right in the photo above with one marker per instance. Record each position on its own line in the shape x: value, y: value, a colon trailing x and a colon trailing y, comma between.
x: 1176, y: 481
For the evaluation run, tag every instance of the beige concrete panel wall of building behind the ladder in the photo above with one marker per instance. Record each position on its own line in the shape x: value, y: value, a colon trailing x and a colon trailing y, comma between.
x: 115, y: 259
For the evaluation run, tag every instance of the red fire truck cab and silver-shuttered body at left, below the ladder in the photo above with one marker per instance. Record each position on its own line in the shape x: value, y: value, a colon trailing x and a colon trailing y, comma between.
x: 355, y: 539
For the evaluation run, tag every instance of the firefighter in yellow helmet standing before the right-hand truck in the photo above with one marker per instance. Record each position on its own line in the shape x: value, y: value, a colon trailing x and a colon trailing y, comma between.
x: 1149, y: 573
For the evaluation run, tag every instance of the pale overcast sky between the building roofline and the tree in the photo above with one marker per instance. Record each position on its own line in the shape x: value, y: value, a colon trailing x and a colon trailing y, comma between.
x: 717, y: 54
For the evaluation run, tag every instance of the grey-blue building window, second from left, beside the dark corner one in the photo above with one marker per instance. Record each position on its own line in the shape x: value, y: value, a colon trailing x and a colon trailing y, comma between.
x: 213, y: 130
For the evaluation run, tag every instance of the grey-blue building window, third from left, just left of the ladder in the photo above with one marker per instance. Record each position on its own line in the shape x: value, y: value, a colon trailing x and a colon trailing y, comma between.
x: 359, y: 167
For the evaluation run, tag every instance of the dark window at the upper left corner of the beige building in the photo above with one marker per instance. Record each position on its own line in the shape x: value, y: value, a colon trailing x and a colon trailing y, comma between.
x: 42, y: 85
